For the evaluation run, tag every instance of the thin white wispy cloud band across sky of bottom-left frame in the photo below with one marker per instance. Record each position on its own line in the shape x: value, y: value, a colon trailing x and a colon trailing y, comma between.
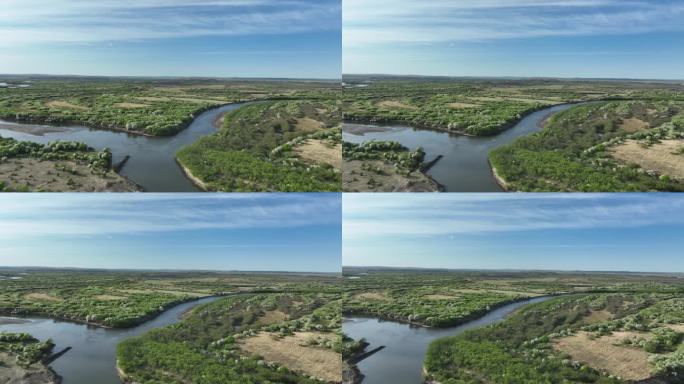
x: 107, y: 214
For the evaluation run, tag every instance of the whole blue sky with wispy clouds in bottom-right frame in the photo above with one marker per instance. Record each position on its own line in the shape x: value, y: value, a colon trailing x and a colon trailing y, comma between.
x: 594, y: 232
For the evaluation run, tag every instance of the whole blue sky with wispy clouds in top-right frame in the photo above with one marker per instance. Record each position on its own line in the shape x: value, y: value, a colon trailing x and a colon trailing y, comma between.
x: 528, y: 38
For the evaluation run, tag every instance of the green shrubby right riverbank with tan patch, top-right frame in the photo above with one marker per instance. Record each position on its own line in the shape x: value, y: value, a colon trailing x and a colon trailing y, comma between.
x: 605, y: 147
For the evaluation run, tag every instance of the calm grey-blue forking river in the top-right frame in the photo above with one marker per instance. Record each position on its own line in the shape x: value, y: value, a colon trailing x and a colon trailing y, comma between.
x: 464, y: 167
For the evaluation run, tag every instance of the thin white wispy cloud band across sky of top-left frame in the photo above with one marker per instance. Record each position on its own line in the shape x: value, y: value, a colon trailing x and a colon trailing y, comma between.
x: 27, y: 22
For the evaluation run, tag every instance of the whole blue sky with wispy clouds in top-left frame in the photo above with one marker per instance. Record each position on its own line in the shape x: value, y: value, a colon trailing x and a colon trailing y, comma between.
x: 212, y: 38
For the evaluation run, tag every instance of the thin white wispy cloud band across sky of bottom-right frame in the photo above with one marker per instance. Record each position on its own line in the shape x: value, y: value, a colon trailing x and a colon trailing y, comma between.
x: 420, y: 216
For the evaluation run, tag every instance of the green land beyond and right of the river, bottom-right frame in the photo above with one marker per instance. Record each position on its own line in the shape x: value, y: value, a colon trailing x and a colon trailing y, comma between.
x: 597, y: 327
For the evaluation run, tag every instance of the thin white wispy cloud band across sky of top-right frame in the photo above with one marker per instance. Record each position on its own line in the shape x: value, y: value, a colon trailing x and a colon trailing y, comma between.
x: 371, y: 23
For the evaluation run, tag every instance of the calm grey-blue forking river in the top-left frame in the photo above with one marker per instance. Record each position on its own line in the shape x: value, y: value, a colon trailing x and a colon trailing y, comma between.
x: 152, y: 163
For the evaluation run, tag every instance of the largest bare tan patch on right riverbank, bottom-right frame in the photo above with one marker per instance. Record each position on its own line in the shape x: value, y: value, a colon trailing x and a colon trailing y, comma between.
x: 625, y: 362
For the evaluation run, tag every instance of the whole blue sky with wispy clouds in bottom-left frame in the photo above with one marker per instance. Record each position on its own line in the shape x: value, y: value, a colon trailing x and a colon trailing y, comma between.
x: 282, y: 232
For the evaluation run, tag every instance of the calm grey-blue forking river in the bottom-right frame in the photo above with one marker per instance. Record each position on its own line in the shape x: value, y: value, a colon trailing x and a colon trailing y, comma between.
x: 401, y: 362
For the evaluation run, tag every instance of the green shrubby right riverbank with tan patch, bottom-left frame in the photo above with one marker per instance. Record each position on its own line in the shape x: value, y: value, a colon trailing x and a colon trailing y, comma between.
x: 260, y: 338
